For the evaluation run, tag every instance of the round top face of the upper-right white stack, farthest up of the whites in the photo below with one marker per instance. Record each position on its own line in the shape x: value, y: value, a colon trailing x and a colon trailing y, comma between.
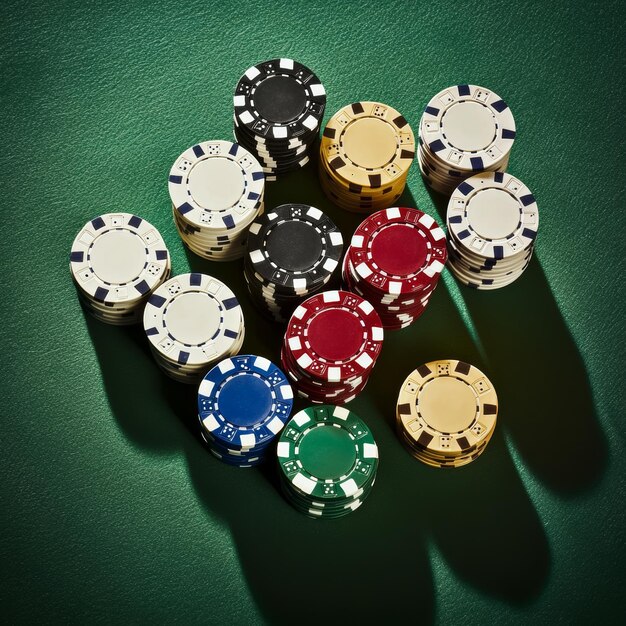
x: 468, y: 127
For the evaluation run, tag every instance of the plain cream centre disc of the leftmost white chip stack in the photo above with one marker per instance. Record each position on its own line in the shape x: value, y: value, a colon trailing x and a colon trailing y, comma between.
x: 118, y: 256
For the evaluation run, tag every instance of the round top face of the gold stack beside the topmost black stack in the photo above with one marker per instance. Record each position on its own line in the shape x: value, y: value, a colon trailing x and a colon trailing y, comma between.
x: 368, y: 145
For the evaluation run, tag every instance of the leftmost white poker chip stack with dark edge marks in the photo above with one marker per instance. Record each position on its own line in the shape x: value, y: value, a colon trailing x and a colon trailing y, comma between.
x: 117, y: 260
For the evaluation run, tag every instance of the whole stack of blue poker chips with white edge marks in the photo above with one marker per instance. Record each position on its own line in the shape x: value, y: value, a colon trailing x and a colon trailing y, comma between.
x: 243, y: 403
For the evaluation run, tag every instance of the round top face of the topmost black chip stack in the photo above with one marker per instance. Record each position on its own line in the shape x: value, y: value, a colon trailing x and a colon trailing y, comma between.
x: 279, y: 99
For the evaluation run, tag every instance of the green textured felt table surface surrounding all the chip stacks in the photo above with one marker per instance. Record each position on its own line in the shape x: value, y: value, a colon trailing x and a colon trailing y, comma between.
x: 112, y: 511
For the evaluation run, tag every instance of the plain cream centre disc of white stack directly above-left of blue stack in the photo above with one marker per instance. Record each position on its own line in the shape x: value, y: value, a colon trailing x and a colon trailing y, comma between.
x: 192, y: 318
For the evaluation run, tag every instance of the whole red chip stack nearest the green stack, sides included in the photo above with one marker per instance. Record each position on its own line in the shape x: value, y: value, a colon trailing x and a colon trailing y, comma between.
x: 331, y: 345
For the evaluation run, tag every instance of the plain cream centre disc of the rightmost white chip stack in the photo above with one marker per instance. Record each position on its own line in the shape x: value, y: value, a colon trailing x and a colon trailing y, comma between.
x: 493, y: 214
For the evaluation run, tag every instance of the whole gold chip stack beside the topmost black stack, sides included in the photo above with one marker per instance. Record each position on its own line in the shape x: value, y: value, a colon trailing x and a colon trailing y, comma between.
x: 366, y: 151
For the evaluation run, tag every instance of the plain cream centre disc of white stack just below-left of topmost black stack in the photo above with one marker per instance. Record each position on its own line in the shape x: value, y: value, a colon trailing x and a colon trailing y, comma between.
x: 216, y: 184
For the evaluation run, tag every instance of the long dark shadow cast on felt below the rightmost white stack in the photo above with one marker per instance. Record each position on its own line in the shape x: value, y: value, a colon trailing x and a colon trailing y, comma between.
x: 546, y: 404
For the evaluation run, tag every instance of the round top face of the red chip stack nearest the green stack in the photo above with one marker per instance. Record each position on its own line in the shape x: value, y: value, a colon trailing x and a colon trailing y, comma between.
x: 335, y: 336
